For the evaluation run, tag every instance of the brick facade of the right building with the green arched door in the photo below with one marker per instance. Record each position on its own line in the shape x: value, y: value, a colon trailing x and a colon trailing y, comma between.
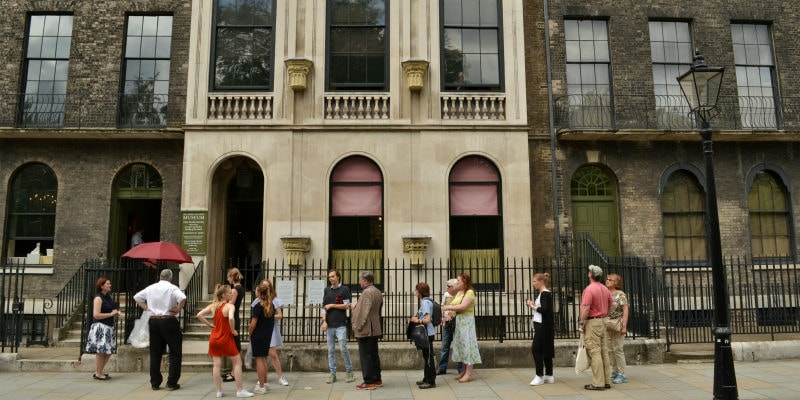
x: 616, y: 108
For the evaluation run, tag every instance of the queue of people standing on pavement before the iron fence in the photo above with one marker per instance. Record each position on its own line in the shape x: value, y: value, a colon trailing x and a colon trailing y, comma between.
x: 603, y: 320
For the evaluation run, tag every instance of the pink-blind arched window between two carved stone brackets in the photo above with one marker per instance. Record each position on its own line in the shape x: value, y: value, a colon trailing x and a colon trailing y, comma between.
x: 356, y: 222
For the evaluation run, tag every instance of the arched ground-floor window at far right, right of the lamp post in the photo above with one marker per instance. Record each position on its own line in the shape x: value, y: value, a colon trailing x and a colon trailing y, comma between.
x: 770, y: 218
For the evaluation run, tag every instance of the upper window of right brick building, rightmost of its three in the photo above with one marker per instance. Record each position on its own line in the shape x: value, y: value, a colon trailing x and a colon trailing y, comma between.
x: 755, y: 75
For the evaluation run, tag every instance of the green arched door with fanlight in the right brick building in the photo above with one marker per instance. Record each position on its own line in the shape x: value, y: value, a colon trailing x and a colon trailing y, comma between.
x: 594, y: 208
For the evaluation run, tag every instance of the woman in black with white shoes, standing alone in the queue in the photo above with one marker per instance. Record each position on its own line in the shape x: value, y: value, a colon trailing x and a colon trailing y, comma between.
x: 543, y: 346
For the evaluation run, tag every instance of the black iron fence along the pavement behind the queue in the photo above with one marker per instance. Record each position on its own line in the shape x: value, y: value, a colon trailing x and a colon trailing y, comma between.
x: 666, y: 301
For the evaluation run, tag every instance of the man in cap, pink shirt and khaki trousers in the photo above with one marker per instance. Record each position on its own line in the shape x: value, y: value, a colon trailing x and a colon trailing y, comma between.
x: 596, y: 303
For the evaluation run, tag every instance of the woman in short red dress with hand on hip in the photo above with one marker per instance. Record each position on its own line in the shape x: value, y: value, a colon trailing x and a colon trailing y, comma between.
x: 222, y: 343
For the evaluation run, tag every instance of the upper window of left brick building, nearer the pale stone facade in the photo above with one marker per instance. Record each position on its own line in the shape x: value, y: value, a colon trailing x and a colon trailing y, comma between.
x: 147, y: 49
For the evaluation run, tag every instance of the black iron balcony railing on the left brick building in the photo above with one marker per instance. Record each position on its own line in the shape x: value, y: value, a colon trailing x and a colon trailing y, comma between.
x: 80, y: 110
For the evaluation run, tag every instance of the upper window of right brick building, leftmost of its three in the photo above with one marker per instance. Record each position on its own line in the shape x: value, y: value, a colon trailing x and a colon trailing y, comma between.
x: 588, y: 73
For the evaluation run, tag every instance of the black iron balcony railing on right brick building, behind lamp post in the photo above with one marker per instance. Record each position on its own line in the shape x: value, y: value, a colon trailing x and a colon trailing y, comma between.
x: 670, y: 112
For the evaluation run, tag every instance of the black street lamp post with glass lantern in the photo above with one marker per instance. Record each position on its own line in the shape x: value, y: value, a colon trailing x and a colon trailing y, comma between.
x: 700, y: 86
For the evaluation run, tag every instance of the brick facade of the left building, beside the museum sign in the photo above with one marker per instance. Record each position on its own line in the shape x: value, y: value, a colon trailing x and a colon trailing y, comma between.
x: 70, y: 121
